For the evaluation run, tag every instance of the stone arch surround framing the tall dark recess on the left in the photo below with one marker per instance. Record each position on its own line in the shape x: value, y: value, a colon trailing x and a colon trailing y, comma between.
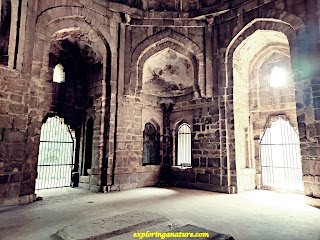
x: 66, y: 24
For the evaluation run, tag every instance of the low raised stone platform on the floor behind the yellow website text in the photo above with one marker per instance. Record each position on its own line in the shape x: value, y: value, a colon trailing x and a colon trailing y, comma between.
x: 134, y: 225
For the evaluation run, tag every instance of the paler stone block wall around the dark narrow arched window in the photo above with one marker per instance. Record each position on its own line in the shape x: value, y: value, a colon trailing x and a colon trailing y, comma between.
x: 129, y: 171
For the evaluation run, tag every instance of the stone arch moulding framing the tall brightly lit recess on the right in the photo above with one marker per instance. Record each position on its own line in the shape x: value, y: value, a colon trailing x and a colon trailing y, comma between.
x: 276, y: 20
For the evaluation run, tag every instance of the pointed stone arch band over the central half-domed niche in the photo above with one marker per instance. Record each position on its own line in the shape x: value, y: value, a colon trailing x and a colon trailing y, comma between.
x: 157, y: 43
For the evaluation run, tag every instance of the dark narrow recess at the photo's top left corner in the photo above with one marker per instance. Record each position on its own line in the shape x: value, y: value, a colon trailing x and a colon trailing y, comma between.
x: 5, y: 23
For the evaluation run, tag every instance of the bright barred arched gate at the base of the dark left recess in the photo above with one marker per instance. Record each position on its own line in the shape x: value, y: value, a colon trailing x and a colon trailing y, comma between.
x: 56, y: 155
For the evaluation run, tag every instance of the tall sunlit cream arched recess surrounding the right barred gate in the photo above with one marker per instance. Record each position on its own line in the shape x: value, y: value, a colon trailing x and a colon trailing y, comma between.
x: 263, y: 87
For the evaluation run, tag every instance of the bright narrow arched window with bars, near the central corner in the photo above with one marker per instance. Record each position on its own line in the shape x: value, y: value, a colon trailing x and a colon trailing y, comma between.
x: 184, y: 145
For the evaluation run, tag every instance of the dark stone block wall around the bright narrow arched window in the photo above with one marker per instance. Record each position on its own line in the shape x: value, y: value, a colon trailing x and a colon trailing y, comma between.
x: 209, y: 170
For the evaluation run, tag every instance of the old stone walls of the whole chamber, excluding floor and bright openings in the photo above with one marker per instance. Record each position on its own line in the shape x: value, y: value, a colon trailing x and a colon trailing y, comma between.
x: 105, y: 47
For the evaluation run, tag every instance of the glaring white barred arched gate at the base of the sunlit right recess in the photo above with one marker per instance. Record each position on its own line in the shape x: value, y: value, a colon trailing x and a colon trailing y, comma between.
x: 280, y: 156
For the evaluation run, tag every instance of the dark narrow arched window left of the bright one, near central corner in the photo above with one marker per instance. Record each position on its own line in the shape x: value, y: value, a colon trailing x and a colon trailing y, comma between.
x: 150, y: 145
